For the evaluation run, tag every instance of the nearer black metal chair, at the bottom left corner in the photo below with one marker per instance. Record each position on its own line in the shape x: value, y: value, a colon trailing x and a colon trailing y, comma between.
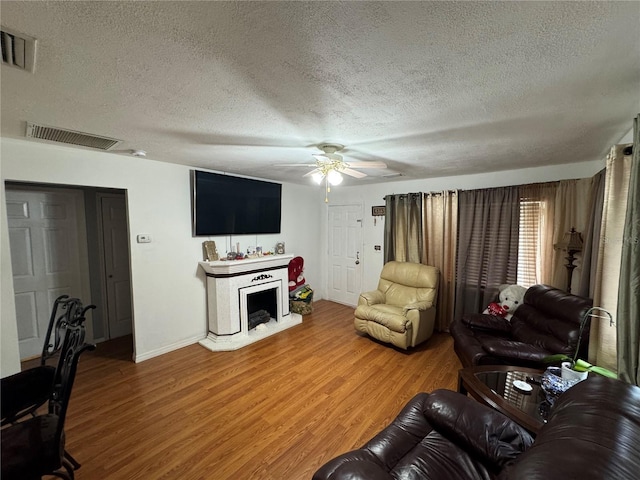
x: 36, y: 446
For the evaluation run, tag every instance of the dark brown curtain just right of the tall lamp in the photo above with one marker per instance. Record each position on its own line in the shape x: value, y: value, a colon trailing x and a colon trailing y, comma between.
x: 591, y: 237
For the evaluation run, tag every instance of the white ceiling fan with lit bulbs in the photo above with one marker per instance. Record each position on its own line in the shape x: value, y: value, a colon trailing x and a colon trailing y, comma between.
x: 330, y: 166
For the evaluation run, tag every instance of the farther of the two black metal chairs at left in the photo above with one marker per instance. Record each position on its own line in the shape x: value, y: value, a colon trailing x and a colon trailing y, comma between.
x: 25, y: 392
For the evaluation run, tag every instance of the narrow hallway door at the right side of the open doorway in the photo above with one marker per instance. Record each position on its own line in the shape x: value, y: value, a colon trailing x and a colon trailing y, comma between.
x: 115, y: 241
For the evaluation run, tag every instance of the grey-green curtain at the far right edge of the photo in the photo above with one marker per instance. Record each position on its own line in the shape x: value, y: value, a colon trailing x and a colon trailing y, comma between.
x: 628, y: 315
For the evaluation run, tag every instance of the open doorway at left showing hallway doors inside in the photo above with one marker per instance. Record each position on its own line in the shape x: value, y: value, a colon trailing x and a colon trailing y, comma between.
x: 57, y: 244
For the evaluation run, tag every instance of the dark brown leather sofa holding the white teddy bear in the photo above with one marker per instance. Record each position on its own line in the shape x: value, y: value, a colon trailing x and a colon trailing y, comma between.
x: 547, y: 322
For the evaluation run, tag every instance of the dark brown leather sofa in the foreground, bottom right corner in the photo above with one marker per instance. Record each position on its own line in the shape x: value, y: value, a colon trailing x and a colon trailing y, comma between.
x: 593, y: 432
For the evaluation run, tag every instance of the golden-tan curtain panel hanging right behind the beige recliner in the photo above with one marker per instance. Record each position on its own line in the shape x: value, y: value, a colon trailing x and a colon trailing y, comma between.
x: 440, y: 242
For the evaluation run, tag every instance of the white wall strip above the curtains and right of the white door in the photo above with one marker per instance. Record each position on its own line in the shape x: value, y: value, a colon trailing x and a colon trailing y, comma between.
x: 372, y: 195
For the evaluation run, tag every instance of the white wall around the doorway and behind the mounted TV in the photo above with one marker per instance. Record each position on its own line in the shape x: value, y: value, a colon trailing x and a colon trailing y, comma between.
x: 169, y: 304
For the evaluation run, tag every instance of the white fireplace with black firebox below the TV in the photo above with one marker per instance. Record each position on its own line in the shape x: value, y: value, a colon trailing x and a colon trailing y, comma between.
x: 234, y: 287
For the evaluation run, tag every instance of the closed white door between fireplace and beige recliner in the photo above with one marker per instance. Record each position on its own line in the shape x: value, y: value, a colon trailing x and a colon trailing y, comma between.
x: 345, y: 253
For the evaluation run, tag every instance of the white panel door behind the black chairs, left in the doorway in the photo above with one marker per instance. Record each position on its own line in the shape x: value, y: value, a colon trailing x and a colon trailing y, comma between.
x: 43, y: 237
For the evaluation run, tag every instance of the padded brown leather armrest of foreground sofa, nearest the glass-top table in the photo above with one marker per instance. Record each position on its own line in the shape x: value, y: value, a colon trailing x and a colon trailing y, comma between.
x: 491, y: 436
